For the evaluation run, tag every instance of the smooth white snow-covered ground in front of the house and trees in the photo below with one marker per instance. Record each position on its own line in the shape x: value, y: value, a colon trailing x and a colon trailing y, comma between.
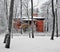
x: 26, y: 44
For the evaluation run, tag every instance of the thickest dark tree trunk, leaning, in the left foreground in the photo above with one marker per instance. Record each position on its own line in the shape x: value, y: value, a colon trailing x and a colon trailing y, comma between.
x: 10, y: 25
